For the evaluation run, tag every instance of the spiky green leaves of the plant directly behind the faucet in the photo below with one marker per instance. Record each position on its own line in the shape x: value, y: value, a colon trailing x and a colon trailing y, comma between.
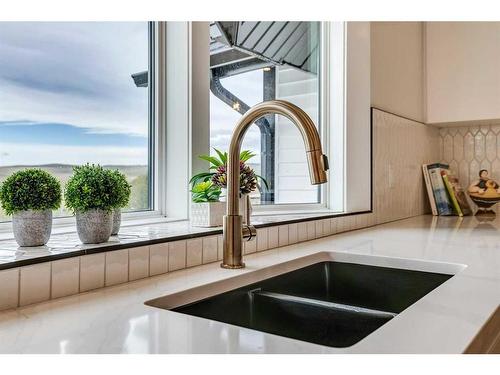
x: 218, y: 172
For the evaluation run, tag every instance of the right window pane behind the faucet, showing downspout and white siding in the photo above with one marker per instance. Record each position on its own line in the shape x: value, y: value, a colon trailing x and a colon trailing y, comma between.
x: 255, y: 61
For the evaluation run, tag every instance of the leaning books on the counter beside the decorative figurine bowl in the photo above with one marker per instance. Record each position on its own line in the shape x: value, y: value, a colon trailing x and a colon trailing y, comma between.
x: 446, y: 196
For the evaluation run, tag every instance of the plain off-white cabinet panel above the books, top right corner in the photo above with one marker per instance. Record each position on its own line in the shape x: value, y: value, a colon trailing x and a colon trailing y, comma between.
x: 463, y: 71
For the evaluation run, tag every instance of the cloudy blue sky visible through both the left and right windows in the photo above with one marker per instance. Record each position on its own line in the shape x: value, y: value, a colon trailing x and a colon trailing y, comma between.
x: 77, y: 75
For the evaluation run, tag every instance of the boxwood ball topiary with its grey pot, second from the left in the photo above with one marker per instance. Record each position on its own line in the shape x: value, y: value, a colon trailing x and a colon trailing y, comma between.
x: 92, y: 195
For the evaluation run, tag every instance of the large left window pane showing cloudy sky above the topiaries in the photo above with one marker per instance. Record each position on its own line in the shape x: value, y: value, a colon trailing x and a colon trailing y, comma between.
x: 72, y: 93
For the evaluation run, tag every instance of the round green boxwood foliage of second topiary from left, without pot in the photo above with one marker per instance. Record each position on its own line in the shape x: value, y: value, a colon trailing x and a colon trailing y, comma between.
x: 93, y: 187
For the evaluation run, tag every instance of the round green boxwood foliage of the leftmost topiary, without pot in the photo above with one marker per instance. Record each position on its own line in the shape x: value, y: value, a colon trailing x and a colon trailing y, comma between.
x: 30, y: 189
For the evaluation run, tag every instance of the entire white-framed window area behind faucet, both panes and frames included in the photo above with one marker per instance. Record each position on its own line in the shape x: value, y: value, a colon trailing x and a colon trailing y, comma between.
x: 148, y: 98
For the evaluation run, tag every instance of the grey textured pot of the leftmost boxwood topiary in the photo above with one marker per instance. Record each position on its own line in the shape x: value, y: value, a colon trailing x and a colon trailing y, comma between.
x: 32, y: 228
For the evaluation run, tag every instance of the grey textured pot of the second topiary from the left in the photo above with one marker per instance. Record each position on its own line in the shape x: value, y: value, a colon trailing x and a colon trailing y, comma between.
x: 94, y: 226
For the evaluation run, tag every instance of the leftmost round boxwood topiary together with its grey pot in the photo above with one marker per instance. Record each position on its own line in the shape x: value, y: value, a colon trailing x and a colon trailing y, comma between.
x: 29, y: 196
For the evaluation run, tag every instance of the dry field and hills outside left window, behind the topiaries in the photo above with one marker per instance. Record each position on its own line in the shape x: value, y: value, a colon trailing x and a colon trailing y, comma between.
x: 137, y: 175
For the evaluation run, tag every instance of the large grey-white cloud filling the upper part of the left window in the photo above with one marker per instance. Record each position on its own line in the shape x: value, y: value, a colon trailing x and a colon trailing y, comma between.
x: 75, y: 73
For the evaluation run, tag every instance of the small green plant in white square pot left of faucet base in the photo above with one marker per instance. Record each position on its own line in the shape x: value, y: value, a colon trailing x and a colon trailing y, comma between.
x: 206, y: 210
